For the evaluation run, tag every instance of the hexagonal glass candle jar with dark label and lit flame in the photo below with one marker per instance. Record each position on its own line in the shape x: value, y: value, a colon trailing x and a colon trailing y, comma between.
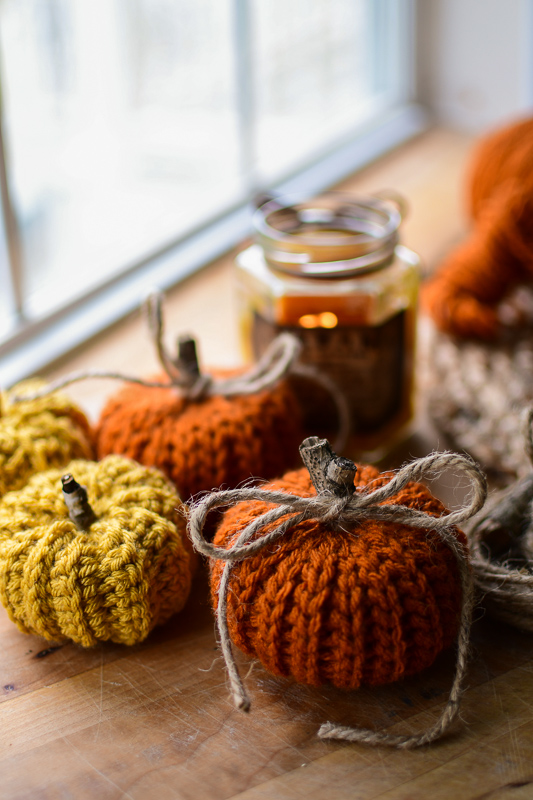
x: 331, y: 271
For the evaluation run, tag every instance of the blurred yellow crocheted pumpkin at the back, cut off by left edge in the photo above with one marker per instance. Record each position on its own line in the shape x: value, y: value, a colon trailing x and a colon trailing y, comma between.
x: 38, y: 434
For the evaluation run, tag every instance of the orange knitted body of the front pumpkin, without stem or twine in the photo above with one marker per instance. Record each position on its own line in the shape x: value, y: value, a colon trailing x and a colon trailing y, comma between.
x: 350, y: 608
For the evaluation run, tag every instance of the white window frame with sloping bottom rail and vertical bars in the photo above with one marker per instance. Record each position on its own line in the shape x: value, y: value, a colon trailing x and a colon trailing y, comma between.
x: 37, y: 343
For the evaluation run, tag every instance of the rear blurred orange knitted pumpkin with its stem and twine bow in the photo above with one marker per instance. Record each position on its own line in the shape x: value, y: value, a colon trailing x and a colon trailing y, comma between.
x: 204, y: 431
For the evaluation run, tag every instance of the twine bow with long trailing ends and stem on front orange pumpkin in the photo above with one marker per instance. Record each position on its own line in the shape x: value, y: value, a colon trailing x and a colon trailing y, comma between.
x: 339, y: 505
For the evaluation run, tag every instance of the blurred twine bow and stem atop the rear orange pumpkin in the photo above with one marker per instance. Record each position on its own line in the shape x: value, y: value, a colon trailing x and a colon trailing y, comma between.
x: 183, y: 372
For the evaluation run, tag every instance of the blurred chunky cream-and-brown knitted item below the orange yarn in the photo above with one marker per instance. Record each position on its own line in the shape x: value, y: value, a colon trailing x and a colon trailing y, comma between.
x: 475, y: 392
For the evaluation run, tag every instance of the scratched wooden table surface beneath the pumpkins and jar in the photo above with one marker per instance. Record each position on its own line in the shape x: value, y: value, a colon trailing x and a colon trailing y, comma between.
x: 156, y: 720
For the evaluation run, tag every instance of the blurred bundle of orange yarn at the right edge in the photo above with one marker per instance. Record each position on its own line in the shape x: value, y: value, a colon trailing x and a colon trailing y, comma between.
x: 463, y: 296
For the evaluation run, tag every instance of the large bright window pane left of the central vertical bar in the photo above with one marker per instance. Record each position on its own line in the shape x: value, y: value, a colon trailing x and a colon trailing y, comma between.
x: 121, y: 132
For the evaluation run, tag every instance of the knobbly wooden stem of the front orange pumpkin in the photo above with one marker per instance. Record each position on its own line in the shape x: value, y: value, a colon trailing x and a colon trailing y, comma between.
x: 330, y: 473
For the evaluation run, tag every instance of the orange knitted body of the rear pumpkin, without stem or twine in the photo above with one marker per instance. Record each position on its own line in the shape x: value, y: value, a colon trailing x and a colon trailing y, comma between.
x: 203, y: 444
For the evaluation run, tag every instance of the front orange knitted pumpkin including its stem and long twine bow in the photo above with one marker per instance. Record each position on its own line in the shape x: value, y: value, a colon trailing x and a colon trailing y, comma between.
x: 343, y: 576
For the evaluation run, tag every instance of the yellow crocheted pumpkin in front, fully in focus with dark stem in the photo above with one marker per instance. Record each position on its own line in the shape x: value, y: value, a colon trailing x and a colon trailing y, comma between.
x: 129, y: 570
